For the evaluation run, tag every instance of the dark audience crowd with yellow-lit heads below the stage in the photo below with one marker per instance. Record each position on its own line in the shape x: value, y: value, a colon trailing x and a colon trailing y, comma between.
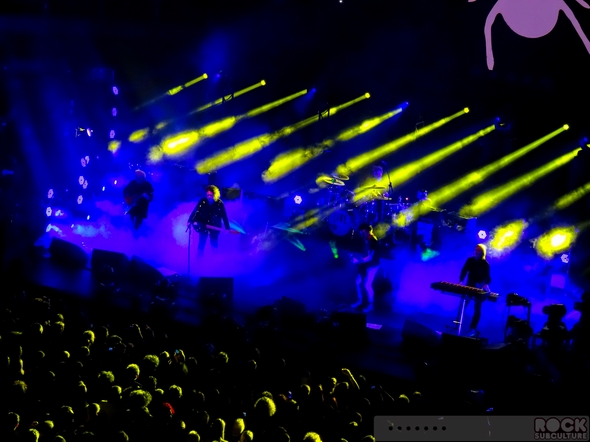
x: 67, y: 375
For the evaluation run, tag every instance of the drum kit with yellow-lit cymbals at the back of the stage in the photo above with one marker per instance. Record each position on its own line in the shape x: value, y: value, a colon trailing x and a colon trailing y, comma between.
x: 346, y: 212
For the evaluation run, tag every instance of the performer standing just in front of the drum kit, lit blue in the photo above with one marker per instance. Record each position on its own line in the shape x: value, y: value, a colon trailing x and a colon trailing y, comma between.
x: 367, y: 265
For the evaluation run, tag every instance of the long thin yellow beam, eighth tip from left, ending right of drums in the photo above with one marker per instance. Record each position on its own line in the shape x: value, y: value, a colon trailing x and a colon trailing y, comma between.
x: 452, y: 190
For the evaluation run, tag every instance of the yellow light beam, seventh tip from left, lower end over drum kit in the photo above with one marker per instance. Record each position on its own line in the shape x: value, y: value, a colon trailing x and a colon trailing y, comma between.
x: 410, y: 170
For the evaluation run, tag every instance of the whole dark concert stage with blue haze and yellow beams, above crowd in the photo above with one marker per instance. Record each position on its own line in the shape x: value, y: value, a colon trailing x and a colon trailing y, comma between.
x: 442, y: 124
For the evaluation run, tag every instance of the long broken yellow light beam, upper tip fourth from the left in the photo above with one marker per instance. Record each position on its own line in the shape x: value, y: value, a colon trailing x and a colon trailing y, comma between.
x: 249, y: 147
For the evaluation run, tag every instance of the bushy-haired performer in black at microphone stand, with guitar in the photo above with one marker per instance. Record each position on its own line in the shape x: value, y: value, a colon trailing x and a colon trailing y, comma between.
x: 207, y: 216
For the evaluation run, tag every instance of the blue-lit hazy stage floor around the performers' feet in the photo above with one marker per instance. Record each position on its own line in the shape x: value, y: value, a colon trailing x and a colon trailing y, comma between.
x: 269, y: 266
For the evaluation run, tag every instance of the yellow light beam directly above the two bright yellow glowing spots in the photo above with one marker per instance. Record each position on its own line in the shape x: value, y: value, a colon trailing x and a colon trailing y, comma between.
x: 492, y: 198
